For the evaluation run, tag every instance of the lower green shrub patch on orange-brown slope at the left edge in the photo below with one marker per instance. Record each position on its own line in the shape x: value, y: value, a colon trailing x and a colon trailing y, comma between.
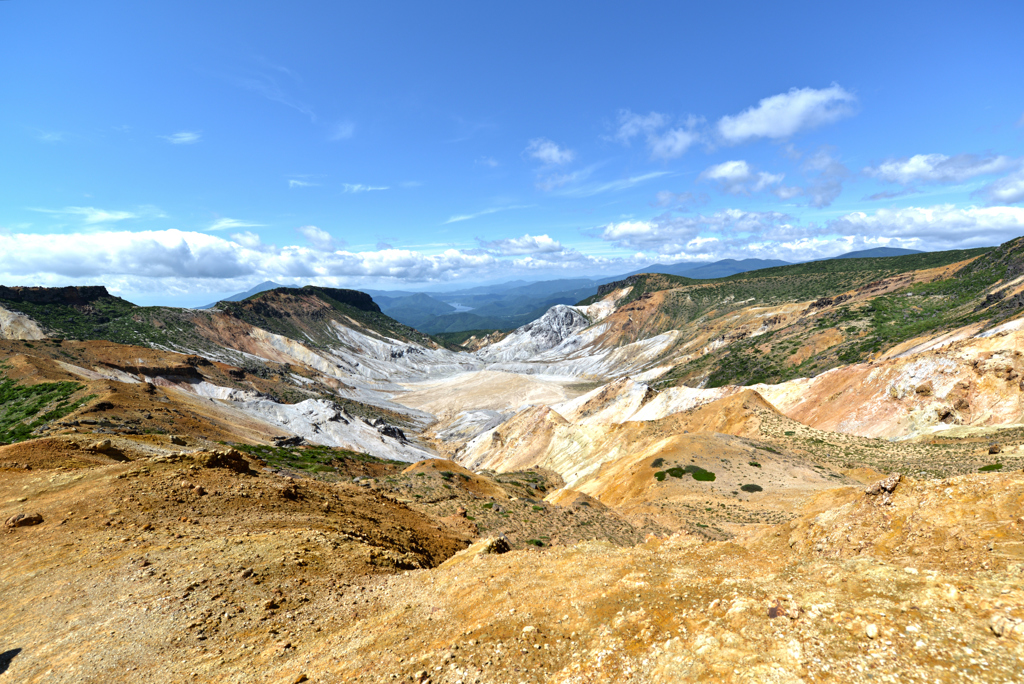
x: 25, y: 408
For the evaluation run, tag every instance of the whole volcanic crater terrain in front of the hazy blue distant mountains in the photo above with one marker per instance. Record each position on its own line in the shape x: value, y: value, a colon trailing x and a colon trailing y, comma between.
x: 807, y: 474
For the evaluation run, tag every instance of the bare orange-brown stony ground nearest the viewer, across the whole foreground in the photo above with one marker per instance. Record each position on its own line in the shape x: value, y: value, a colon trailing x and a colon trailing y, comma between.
x: 183, y: 569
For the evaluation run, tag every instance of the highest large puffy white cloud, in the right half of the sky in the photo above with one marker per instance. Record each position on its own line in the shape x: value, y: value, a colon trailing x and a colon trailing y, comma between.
x: 784, y: 115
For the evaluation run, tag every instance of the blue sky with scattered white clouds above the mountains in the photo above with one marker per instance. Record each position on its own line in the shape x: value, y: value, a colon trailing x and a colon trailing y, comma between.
x: 178, y: 152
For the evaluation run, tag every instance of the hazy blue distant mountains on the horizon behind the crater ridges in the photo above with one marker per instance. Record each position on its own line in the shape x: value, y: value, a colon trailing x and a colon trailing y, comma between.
x: 509, y: 306
